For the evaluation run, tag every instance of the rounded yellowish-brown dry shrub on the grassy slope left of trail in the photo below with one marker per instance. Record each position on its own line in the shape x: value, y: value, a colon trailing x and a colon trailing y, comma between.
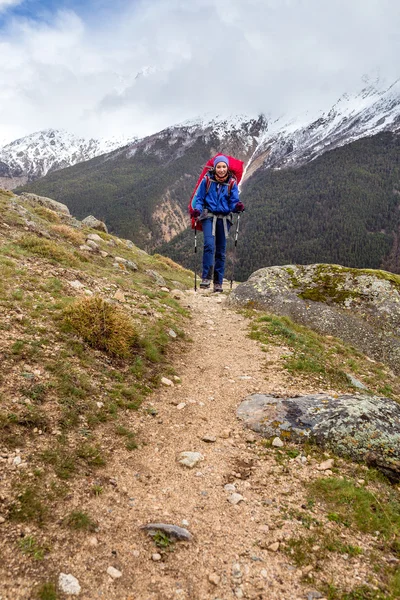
x: 102, y: 326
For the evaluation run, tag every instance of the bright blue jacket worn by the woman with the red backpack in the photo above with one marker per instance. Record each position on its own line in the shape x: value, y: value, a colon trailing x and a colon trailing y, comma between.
x: 216, y: 200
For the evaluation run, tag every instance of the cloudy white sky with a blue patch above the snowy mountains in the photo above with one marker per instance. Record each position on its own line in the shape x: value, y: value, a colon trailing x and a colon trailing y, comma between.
x: 77, y: 64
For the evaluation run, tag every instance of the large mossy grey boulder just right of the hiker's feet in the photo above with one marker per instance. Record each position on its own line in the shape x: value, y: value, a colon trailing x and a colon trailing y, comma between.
x: 360, y: 306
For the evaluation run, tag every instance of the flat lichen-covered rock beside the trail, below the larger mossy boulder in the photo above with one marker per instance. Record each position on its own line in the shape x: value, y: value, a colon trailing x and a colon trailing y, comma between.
x: 363, y: 428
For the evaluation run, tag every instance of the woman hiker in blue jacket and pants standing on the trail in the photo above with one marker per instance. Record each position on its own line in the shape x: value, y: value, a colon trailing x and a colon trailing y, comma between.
x: 215, y: 200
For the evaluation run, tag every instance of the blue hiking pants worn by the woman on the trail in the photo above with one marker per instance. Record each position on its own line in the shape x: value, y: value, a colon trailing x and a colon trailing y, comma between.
x: 214, y: 245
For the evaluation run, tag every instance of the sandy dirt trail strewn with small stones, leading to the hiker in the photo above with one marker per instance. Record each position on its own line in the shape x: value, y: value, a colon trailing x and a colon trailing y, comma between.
x: 230, y: 544
